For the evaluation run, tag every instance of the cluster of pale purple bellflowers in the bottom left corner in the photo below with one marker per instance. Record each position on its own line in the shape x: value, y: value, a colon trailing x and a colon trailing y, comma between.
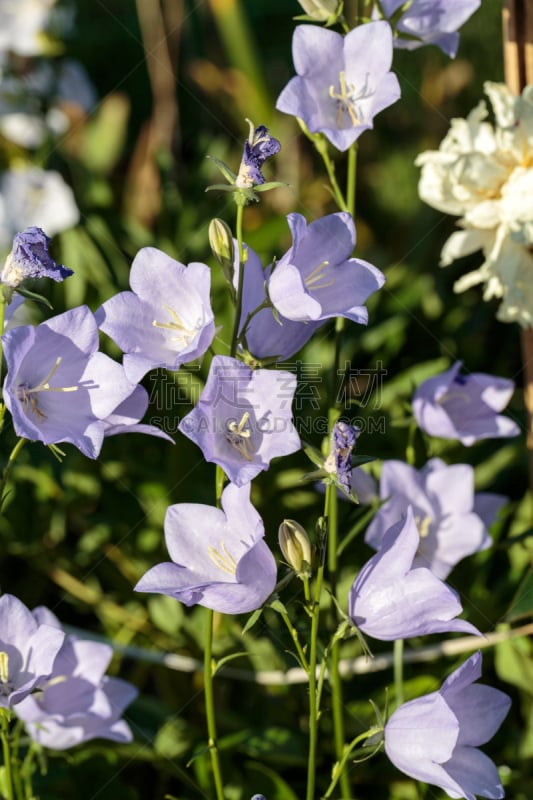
x: 56, y: 683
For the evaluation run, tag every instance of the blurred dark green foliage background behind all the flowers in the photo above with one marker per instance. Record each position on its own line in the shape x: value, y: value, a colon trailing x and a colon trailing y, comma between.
x: 121, y: 107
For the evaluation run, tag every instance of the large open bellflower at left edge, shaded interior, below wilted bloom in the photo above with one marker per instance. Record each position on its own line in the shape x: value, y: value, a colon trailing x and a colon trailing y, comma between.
x: 58, y: 387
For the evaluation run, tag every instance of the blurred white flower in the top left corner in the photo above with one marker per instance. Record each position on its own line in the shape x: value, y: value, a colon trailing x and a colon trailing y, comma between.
x: 23, y: 24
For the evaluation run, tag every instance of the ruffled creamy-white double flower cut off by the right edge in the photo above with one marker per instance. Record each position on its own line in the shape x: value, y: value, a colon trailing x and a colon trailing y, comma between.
x: 483, y: 173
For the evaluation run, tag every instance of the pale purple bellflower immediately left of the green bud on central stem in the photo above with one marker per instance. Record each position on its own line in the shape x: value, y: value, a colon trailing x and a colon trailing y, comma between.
x: 167, y: 320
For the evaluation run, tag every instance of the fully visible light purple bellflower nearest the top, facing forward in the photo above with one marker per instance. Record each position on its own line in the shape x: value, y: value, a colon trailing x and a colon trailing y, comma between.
x: 342, y: 82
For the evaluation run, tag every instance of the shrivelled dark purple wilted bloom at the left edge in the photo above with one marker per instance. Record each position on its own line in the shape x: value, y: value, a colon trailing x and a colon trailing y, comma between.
x: 29, y: 258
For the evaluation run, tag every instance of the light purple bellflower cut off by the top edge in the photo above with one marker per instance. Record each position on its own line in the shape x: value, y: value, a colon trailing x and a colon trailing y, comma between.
x: 429, y: 22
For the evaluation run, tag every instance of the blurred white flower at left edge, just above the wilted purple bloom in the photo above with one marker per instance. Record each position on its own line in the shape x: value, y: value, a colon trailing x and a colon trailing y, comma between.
x: 30, y: 196
